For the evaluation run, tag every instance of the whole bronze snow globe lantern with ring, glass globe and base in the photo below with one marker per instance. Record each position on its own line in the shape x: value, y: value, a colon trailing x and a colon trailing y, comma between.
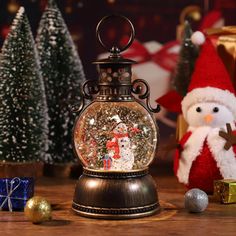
x: 115, y: 137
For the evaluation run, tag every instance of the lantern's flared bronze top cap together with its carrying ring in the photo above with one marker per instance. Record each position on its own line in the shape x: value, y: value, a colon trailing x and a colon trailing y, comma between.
x: 115, y: 56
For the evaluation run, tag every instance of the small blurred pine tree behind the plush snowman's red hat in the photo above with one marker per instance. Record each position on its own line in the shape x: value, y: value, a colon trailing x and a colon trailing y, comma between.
x: 187, y: 57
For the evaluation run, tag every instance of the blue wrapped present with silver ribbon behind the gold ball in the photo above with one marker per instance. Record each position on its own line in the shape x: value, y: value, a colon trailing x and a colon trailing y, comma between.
x: 14, y: 193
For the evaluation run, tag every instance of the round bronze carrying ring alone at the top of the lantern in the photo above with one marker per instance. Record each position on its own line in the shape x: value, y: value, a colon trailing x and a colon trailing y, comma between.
x: 115, y: 49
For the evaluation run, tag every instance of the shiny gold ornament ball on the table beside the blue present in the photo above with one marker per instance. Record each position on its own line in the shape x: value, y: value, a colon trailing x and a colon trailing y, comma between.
x: 38, y: 210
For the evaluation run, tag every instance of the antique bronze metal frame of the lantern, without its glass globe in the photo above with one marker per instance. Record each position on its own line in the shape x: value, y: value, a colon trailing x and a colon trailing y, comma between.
x: 114, y: 194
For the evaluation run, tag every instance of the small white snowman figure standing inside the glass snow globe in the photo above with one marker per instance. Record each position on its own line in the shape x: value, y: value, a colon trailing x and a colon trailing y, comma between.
x: 126, y: 156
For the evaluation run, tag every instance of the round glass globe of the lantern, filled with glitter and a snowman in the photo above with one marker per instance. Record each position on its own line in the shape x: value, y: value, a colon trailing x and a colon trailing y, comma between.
x: 115, y: 136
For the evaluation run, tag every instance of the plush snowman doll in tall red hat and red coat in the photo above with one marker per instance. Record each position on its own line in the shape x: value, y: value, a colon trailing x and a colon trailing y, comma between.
x: 207, y: 151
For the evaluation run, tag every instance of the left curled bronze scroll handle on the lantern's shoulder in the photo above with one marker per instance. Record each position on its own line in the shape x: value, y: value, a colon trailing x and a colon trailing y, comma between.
x: 90, y: 87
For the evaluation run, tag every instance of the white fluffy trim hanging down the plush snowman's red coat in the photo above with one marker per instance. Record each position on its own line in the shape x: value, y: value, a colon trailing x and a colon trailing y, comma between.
x: 225, y: 160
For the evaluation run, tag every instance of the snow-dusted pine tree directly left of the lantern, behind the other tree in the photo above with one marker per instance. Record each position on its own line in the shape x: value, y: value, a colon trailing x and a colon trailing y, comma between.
x: 63, y: 75
